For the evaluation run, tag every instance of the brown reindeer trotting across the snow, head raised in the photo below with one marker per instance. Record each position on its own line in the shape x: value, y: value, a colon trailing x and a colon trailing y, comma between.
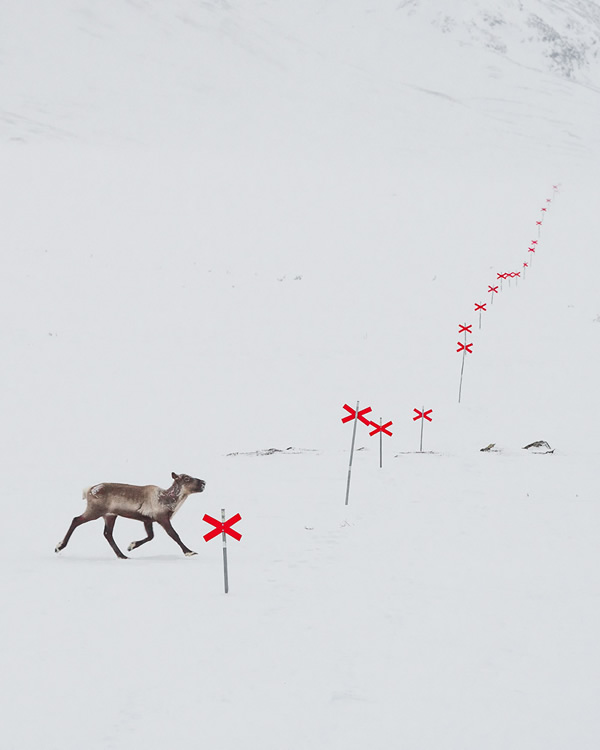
x: 147, y: 504
